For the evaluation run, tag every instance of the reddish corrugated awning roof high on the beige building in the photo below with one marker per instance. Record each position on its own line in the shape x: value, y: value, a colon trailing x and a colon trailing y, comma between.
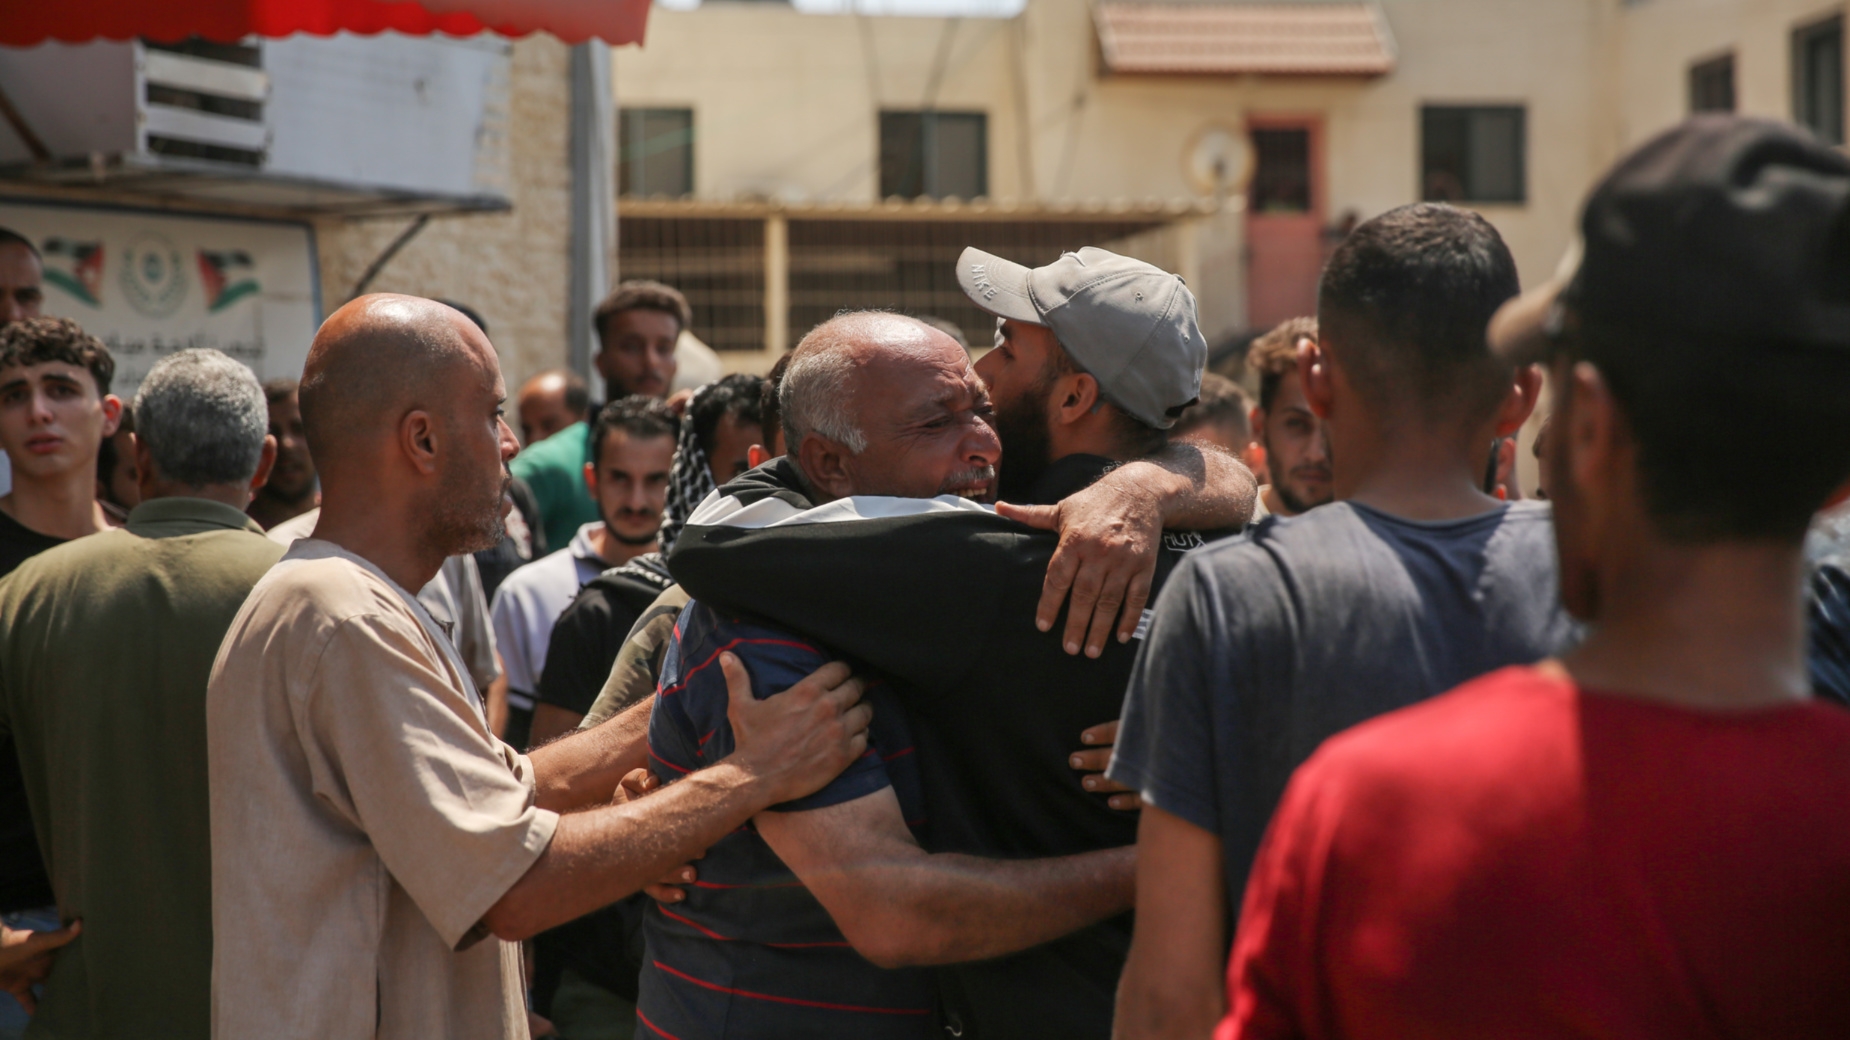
x: 1231, y: 40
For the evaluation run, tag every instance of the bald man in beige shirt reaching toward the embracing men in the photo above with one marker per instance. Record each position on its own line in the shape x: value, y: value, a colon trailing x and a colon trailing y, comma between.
x: 369, y: 832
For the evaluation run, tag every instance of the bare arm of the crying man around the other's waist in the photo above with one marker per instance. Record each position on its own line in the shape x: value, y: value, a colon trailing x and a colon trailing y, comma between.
x: 898, y: 906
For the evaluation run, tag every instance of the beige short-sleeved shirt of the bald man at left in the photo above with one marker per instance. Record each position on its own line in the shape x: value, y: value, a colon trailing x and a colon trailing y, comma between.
x: 364, y: 819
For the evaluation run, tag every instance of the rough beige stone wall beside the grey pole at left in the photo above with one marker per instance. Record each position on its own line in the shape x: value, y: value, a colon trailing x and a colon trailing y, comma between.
x: 512, y: 267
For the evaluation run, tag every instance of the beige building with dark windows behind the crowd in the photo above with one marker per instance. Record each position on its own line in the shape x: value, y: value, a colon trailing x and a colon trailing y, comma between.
x: 783, y: 129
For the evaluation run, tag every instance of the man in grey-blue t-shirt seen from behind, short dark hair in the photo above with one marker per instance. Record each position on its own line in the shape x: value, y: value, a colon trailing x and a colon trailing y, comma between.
x: 1411, y: 584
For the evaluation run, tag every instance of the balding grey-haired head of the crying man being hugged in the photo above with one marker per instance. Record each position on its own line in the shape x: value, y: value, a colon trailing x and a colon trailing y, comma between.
x: 885, y: 404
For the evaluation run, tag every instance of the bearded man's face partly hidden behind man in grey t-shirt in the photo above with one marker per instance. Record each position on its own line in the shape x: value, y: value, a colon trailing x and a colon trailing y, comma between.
x: 1298, y: 451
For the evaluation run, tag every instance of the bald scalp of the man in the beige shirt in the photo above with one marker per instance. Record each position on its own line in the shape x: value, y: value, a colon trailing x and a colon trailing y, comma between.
x: 380, y: 358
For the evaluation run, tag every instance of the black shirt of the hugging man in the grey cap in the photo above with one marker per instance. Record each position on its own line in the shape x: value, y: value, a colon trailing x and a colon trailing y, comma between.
x: 941, y: 599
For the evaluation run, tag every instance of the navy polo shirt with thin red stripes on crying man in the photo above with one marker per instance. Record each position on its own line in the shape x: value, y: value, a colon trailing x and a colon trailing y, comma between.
x: 750, y: 952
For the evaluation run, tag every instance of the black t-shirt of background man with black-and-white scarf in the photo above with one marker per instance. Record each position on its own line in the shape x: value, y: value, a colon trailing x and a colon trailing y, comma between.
x: 589, y: 634
